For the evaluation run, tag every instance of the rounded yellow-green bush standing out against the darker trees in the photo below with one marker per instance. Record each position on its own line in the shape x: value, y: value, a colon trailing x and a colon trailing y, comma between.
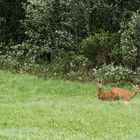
x: 98, y: 47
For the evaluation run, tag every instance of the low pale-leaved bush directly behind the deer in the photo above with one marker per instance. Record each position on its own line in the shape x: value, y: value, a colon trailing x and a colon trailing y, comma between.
x: 115, y: 74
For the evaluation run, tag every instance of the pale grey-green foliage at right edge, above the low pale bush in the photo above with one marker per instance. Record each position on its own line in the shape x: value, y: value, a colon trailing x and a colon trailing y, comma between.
x: 130, y: 42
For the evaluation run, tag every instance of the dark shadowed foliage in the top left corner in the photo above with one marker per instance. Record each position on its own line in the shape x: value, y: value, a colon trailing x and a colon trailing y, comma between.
x: 11, y: 12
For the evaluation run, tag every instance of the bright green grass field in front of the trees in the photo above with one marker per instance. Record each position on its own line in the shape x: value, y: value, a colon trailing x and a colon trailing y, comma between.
x: 35, y: 109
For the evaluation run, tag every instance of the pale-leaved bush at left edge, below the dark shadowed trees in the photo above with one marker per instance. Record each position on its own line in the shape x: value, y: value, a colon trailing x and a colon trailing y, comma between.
x: 18, y: 57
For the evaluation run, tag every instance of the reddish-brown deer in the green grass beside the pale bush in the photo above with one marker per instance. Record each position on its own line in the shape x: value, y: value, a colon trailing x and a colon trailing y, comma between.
x: 116, y: 93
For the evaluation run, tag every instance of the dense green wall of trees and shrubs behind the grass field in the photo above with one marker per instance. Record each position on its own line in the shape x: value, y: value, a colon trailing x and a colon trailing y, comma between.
x: 45, y: 36
